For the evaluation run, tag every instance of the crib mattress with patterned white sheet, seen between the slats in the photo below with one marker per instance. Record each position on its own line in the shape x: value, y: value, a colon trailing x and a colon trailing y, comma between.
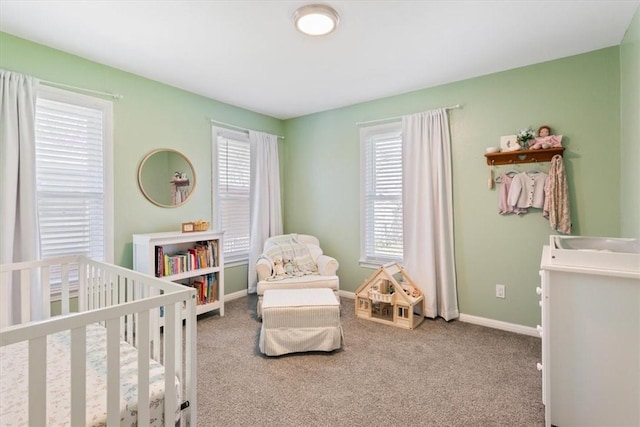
x: 14, y: 379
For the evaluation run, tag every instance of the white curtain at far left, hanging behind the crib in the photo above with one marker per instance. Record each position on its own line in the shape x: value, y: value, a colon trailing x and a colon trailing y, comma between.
x: 18, y: 213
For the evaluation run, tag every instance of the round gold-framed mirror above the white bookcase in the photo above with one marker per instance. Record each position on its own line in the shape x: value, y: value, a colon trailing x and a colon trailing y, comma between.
x: 166, y: 177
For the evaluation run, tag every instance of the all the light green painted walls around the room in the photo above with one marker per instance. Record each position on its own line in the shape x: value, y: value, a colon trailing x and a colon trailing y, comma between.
x: 578, y: 96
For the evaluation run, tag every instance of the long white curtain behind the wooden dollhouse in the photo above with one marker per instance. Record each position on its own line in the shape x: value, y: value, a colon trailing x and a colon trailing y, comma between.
x: 428, y: 210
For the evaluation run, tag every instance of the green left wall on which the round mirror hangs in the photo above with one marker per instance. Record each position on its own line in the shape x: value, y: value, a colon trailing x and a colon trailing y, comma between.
x: 151, y: 115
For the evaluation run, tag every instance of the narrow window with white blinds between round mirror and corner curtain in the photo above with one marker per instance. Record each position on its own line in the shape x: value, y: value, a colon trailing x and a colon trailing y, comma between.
x: 232, y: 179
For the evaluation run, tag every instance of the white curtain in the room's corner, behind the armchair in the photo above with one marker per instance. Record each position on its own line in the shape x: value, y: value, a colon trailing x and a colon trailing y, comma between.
x: 266, y: 210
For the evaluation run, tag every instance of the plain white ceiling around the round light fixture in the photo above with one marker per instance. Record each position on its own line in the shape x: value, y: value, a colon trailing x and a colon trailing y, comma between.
x: 248, y: 54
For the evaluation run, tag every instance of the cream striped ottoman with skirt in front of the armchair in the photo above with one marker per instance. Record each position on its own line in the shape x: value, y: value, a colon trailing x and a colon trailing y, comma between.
x: 298, y: 320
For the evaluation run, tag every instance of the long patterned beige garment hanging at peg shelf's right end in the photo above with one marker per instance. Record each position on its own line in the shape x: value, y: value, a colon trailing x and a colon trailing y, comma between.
x: 556, y: 203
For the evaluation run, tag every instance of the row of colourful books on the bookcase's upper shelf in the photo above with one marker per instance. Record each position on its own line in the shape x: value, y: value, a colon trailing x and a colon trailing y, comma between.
x: 202, y: 255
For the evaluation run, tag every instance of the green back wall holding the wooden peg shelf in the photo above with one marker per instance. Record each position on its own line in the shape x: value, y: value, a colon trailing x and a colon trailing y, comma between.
x: 577, y: 96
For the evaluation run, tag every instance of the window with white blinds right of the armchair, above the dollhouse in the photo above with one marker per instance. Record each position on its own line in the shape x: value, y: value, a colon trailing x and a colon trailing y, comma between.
x: 381, y: 193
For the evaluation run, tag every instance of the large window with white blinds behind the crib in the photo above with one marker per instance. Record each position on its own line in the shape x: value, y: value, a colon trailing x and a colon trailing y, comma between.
x: 74, y: 175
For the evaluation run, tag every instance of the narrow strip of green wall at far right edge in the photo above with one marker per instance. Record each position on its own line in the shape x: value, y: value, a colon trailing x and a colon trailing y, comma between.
x: 630, y: 129
